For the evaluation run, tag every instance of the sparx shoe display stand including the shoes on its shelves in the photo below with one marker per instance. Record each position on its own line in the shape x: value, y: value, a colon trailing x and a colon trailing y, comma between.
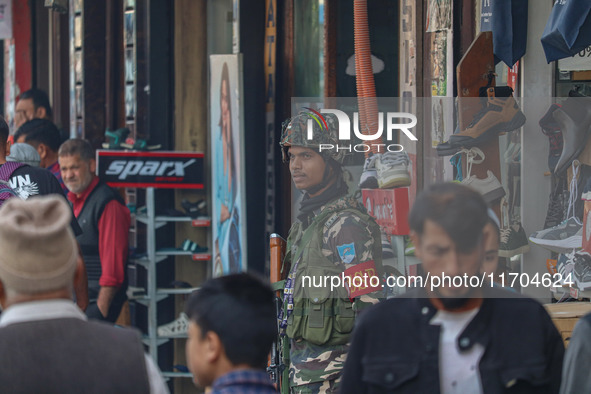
x: 151, y: 170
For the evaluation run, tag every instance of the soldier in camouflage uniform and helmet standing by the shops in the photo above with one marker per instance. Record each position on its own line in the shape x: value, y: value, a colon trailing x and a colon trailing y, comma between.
x: 333, y: 234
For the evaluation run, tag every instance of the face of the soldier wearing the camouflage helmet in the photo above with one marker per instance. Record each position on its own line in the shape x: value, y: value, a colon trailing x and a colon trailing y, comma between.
x: 306, y: 167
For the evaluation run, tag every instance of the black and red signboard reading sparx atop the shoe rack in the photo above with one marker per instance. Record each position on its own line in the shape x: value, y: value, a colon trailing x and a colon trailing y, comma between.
x: 158, y: 169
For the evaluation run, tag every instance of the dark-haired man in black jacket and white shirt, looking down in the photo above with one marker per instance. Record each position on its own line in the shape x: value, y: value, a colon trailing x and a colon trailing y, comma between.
x: 453, y: 339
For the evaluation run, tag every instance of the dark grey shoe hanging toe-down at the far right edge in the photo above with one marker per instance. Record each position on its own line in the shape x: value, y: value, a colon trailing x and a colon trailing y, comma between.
x: 574, y: 118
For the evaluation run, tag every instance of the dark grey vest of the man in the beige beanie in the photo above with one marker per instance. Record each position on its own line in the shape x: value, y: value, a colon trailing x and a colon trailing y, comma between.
x: 70, y: 355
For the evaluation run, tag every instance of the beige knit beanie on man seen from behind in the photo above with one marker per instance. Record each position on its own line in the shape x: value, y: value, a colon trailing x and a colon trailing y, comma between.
x: 38, y: 249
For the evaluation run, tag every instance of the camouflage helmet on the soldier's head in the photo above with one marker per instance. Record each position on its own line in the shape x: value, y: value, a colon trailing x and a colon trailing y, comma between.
x: 324, y: 131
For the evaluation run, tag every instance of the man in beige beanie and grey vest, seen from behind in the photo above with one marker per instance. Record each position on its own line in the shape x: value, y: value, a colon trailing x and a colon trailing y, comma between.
x: 46, y: 343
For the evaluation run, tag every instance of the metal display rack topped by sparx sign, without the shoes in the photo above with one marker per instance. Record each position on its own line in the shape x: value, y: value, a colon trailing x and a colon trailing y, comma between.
x: 150, y: 171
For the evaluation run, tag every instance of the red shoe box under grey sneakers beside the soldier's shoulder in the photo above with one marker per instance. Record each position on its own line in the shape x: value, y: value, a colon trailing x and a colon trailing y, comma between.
x: 389, y: 207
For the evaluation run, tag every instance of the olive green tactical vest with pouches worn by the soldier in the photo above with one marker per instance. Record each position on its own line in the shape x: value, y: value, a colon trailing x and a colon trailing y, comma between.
x: 319, y: 315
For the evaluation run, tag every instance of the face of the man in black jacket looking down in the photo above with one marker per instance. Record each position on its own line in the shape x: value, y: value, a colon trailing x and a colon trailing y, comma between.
x: 441, y: 258
